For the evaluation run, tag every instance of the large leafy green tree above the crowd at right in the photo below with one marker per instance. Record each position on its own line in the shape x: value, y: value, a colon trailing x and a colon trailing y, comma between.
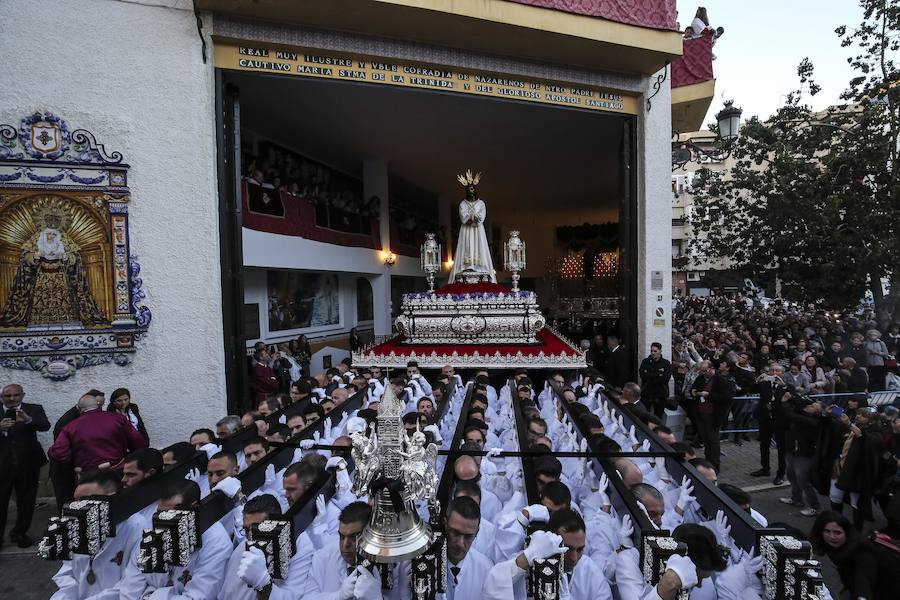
x: 814, y: 198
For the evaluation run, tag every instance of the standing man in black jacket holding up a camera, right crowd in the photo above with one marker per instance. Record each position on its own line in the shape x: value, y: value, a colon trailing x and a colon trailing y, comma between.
x: 803, y: 418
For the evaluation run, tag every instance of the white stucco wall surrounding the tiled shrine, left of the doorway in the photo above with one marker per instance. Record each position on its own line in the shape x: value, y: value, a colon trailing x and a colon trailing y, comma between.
x: 132, y: 73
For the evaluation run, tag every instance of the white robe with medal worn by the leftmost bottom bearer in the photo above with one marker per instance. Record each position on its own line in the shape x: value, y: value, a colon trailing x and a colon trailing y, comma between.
x: 109, y: 564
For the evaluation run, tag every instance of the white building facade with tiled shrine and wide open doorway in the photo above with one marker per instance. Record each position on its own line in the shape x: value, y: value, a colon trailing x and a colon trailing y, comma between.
x: 269, y: 169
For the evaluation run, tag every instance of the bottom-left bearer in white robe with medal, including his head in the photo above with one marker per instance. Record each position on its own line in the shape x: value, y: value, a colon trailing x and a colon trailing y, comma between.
x: 84, y: 576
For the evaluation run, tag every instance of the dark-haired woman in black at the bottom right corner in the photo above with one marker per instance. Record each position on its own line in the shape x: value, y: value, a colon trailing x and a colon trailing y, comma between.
x: 867, y: 571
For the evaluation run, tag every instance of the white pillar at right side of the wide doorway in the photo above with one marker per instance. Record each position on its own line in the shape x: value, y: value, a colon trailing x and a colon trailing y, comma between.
x: 654, y: 221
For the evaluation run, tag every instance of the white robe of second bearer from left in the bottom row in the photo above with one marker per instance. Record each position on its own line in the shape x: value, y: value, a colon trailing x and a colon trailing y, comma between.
x: 199, y: 580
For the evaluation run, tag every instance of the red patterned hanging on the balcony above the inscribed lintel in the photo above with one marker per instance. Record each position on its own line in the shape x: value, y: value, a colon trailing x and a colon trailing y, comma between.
x: 655, y: 14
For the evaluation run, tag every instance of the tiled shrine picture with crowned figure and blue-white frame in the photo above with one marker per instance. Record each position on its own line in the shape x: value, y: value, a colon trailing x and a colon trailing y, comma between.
x: 70, y: 287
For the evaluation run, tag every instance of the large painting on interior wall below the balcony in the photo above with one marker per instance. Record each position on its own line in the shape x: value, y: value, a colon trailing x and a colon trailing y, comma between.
x: 300, y: 300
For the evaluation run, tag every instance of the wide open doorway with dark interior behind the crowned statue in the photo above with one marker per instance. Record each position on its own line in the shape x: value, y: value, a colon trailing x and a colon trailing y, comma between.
x: 314, y: 159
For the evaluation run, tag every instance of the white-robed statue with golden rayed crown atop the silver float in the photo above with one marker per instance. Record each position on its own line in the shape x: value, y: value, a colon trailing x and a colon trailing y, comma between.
x: 472, y: 262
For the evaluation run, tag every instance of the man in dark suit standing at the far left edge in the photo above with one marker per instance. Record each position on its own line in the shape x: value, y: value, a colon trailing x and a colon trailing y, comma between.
x: 22, y: 458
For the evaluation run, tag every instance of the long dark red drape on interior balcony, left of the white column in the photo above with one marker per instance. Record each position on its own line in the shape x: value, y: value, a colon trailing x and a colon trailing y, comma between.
x: 273, y: 211
